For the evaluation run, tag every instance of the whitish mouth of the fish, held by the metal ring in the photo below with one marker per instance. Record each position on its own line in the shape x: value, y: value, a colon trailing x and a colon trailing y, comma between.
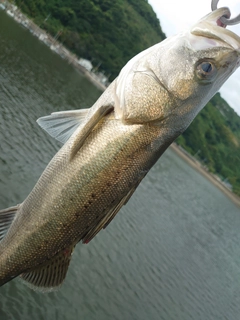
x: 211, y: 27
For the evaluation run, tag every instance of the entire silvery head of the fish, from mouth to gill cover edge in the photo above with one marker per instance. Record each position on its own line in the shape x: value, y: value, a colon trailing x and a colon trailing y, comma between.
x: 178, y: 76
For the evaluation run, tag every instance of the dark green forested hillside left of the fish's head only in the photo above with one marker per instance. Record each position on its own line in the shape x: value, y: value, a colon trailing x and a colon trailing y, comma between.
x: 106, y: 32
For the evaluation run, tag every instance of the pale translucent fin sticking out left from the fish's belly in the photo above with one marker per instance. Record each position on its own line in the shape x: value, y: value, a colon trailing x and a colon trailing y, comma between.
x: 61, y: 125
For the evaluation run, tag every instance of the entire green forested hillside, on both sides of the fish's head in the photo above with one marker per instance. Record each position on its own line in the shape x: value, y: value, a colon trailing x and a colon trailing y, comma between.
x: 109, y: 33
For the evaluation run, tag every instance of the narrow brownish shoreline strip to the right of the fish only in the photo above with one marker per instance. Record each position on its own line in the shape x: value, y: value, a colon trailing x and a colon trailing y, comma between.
x: 198, y: 167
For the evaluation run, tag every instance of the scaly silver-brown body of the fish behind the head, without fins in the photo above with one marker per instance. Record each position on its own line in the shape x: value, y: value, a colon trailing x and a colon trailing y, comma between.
x: 79, y: 193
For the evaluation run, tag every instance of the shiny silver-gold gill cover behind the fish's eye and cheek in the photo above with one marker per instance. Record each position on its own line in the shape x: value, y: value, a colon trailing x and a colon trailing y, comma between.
x: 139, y: 94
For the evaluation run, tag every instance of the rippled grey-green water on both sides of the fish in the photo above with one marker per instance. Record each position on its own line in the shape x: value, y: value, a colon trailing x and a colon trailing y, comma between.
x: 172, y: 253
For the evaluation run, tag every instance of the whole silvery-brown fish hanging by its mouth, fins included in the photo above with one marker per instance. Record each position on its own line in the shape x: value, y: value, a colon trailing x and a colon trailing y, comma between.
x: 109, y: 148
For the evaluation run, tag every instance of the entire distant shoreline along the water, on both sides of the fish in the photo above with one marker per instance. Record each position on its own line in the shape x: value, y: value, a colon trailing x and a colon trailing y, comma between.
x: 71, y: 58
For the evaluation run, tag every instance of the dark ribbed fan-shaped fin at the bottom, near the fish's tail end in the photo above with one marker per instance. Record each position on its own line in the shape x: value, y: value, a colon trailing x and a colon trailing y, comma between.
x: 50, y: 275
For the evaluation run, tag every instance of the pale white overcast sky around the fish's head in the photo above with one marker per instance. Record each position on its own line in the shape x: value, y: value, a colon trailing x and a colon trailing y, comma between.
x: 177, y: 15
